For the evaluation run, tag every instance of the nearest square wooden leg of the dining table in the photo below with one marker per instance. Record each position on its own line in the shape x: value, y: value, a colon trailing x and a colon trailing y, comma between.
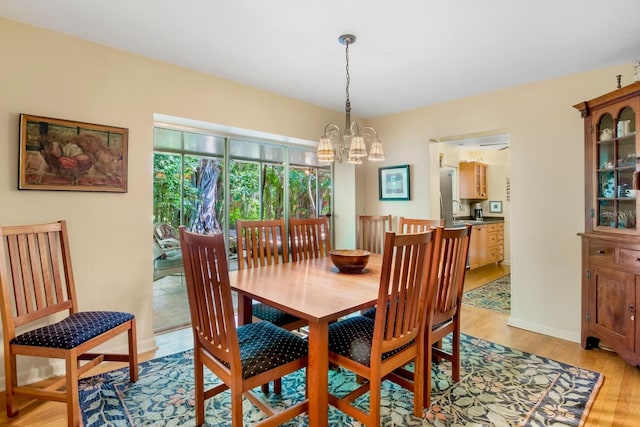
x: 318, y: 375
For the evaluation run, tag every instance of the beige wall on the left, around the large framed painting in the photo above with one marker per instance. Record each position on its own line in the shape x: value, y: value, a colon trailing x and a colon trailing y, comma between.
x: 53, y: 75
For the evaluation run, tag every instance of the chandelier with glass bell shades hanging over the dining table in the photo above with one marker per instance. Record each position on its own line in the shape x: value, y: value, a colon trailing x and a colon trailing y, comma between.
x: 350, y: 144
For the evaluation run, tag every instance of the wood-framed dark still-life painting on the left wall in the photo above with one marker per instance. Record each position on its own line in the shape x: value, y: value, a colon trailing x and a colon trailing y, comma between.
x: 57, y: 154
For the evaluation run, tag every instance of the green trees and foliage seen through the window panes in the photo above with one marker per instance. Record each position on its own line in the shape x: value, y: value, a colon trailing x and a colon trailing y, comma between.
x: 173, y: 192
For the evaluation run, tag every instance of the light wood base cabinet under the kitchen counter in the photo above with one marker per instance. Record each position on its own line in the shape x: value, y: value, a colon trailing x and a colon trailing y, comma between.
x: 486, y: 245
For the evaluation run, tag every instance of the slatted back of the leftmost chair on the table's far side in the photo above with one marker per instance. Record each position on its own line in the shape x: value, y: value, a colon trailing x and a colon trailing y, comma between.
x: 261, y: 243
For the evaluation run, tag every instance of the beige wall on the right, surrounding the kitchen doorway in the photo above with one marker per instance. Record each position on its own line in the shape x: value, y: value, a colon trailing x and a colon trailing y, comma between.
x: 547, y: 181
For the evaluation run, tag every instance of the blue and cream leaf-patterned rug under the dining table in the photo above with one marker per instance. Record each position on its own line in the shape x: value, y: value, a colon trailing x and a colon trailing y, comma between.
x: 499, y: 386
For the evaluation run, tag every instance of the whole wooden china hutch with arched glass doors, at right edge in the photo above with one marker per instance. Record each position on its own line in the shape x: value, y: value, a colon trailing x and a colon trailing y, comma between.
x: 611, y: 241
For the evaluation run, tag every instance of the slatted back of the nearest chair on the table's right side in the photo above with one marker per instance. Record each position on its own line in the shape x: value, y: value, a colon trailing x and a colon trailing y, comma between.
x: 409, y: 267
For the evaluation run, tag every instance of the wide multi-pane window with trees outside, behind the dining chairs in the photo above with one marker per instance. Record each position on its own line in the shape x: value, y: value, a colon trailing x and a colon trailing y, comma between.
x: 193, y: 188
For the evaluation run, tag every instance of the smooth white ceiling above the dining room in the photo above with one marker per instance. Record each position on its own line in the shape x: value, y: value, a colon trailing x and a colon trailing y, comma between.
x: 409, y: 53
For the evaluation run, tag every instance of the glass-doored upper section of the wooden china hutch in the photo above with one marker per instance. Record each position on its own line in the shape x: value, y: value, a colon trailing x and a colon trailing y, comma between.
x: 611, y: 150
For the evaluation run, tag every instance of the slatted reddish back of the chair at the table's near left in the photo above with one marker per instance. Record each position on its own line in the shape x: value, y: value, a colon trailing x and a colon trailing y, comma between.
x: 209, y: 293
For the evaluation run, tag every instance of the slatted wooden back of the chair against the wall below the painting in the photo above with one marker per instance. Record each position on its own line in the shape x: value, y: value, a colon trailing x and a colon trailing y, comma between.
x: 36, y: 276
